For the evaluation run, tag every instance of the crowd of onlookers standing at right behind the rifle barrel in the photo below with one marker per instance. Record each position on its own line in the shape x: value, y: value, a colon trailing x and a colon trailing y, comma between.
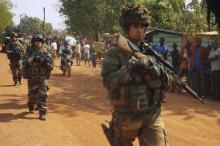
x: 199, y: 65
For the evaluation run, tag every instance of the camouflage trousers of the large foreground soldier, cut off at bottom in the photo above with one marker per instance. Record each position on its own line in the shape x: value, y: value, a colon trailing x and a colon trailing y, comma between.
x: 148, y: 128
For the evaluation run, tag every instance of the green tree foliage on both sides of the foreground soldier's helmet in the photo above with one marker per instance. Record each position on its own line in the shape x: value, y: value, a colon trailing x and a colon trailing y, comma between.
x: 97, y: 16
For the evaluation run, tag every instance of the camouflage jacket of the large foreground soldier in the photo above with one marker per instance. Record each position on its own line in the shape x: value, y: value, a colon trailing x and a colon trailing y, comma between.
x: 129, y: 86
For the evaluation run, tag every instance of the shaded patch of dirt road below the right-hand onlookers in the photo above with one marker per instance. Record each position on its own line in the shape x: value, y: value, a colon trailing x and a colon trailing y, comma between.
x: 182, y: 104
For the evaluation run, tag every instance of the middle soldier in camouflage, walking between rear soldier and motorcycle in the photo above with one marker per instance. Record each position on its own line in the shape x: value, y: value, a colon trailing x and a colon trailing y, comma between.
x: 37, y: 66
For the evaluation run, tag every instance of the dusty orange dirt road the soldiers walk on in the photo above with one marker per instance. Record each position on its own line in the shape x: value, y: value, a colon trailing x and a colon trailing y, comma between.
x: 77, y: 106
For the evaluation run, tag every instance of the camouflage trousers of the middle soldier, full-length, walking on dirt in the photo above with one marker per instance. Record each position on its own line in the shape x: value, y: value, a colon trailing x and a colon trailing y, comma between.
x: 38, y: 93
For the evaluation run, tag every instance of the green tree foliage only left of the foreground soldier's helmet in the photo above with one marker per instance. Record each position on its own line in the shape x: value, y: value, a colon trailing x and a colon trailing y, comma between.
x: 91, y: 17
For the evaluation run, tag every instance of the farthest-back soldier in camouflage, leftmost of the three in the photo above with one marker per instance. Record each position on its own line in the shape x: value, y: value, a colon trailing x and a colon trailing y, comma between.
x: 15, y: 53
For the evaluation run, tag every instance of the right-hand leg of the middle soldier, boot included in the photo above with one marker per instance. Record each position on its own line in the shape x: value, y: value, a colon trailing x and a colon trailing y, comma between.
x: 42, y: 102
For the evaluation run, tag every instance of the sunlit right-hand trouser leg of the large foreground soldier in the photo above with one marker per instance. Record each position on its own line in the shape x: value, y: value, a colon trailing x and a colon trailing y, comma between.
x: 153, y: 133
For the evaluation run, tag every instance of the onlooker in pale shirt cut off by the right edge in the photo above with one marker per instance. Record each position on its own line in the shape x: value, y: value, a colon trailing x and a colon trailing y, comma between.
x: 214, y: 59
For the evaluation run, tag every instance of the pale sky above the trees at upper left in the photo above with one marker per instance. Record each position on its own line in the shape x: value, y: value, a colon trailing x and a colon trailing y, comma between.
x: 34, y: 8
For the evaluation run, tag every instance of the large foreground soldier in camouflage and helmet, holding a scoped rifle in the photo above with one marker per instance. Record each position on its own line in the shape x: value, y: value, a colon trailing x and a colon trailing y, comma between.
x: 135, y: 95
